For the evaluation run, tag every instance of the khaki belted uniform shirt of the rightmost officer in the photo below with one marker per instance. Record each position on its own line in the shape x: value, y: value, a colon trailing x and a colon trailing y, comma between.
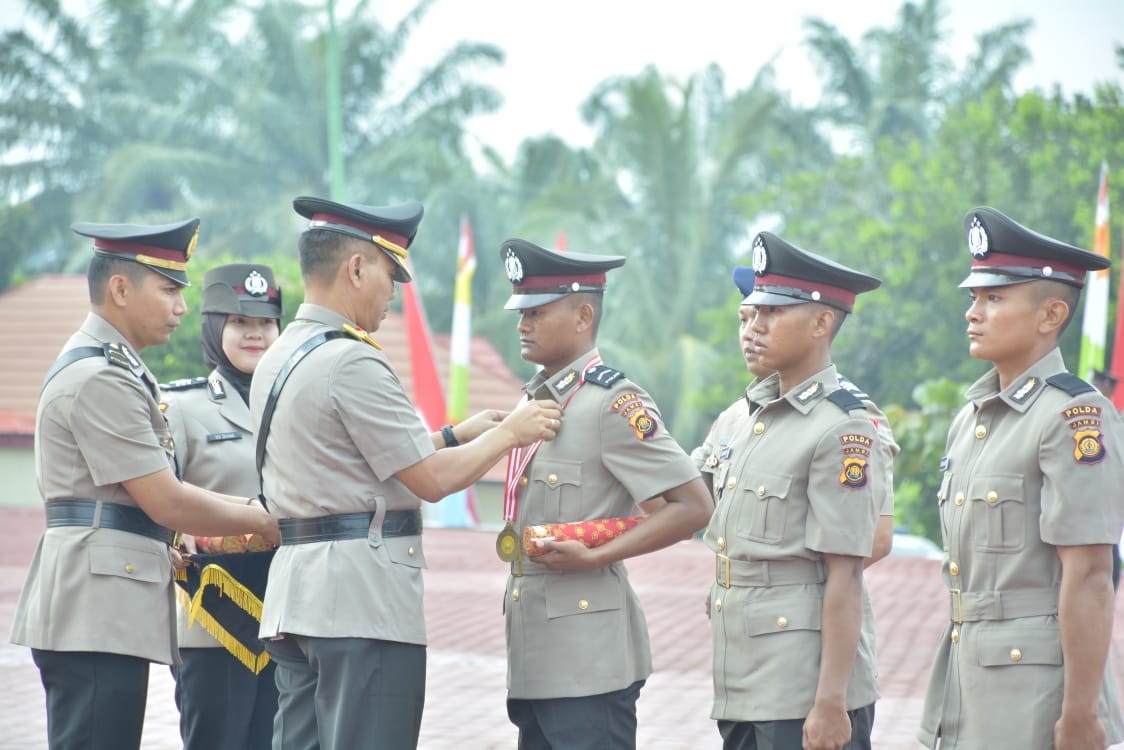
x: 1027, y: 469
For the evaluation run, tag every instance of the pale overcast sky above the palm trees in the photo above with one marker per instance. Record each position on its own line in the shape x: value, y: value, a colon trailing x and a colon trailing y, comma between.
x: 558, y: 52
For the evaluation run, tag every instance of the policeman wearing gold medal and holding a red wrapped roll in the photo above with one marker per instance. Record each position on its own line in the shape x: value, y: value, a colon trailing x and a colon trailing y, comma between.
x: 577, y: 641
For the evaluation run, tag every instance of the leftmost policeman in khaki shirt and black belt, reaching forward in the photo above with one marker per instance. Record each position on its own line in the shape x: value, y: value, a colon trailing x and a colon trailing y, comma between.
x: 97, y: 606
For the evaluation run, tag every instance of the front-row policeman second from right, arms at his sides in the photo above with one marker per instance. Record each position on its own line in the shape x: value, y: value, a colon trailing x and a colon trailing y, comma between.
x: 797, y: 472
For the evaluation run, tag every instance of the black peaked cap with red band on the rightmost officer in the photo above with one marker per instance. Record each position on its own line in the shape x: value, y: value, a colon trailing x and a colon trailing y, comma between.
x: 1005, y: 252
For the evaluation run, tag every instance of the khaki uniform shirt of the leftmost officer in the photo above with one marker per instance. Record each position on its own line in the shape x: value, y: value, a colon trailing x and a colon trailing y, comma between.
x: 98, y: 424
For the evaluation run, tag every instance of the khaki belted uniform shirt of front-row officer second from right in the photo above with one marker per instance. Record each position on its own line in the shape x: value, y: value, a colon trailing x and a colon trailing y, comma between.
x: 794, y: 477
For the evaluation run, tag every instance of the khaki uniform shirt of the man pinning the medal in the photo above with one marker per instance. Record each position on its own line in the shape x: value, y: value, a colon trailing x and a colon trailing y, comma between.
x: 343, y: 428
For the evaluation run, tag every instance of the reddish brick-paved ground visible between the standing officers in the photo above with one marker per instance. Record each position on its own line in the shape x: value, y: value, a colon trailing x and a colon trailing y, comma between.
x: 465, y: 704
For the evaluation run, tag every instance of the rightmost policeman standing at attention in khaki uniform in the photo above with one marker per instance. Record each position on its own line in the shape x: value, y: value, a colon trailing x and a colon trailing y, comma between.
x: 1030, y: 510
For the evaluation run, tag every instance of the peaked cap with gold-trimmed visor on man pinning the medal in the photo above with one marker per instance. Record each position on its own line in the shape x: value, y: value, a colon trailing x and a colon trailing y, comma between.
x: 391, y: 229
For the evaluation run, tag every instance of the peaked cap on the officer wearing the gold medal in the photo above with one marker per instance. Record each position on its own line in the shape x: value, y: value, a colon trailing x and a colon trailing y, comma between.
x: 541, y: 276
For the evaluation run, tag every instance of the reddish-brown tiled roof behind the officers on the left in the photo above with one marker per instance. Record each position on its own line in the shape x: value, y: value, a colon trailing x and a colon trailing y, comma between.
x: 38, y: 319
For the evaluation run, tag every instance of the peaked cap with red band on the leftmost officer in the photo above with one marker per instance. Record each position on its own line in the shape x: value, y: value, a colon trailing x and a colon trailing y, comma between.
x: 164, y: 248
